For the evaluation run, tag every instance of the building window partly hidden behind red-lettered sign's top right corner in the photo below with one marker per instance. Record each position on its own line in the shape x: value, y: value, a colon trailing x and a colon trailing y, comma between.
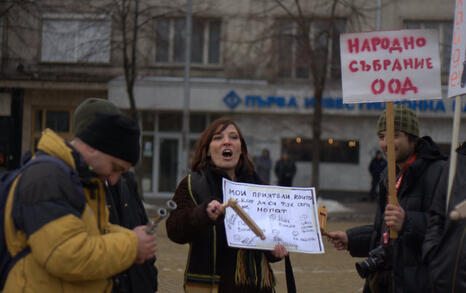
x: 445, y: 29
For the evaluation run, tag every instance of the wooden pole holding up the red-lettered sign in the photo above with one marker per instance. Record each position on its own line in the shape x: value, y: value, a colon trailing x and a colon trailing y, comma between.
x: 390, y: 138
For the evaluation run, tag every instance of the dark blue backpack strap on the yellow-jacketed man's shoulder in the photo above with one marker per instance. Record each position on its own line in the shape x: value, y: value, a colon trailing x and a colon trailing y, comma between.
x: 6, y: 260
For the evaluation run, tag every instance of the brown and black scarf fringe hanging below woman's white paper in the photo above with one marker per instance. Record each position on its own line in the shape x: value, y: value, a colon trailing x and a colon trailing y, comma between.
x: 253, y: 269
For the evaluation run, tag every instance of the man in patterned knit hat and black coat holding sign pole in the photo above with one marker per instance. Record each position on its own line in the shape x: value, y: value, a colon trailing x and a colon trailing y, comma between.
x: 394, y: 265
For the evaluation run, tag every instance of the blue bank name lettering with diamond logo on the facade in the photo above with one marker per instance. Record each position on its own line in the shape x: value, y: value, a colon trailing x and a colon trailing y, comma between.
x: 232, y: 100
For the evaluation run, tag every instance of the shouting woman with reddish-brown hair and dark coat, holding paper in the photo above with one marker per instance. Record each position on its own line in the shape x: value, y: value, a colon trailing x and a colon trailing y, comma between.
x: 221, y: 152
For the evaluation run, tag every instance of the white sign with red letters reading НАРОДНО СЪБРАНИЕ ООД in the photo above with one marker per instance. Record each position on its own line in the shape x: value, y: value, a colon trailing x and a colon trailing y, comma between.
x: 386, y: 66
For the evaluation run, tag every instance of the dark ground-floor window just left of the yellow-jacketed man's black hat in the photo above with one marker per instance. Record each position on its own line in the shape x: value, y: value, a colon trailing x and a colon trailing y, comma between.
x: 57, y: 119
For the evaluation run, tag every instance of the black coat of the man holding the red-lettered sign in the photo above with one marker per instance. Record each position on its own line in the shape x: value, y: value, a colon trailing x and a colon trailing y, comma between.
x: 415, y: 196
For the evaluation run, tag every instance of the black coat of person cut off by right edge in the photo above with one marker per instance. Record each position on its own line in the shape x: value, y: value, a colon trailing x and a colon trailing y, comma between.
x: 445, y: 242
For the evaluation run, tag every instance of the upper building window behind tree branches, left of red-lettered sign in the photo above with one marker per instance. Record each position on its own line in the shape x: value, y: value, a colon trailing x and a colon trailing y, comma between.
x: 294, y: 41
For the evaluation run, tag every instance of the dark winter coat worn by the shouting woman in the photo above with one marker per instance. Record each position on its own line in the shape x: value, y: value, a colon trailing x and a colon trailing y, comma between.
x: 189, y: 223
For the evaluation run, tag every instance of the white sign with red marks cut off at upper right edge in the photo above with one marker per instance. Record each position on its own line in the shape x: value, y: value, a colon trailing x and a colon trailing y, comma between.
x: 457, y: 80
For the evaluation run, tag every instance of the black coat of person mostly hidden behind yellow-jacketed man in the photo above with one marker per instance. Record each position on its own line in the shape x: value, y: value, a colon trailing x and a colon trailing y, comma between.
x: 126, y: 209
